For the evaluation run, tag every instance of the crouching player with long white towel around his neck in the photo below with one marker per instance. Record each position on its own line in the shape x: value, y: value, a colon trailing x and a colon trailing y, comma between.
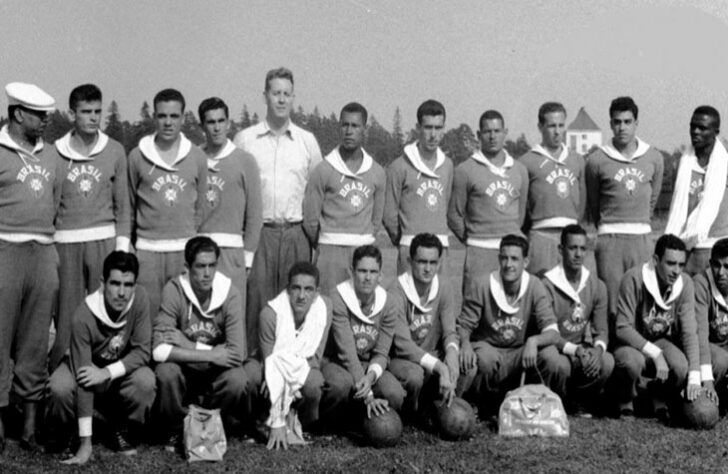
x: 294, y: 328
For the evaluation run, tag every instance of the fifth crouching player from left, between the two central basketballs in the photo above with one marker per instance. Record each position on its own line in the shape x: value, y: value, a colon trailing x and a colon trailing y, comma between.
x: 426, y: 329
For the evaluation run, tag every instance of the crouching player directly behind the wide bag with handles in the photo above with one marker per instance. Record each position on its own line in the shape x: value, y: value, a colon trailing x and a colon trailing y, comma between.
x: 507, y: 325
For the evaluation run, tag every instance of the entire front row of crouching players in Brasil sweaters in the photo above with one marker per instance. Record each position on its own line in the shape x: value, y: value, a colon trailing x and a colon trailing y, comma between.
x: 367, y: 350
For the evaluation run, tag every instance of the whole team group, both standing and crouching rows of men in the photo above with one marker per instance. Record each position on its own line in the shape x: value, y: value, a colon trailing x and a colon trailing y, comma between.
x: 242, y: 275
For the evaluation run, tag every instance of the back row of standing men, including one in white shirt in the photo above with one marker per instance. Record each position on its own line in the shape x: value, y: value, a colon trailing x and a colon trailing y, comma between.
x: 273, y: 188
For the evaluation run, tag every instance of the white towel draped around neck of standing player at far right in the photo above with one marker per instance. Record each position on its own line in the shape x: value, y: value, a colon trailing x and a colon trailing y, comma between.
x: 694, y: 228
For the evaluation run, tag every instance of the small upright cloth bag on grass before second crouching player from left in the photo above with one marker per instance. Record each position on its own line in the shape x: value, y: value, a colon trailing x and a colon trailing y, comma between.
x: 204, y: 435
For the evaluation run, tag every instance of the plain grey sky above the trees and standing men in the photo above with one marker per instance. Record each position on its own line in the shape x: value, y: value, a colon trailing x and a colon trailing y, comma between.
x: 471, y: 55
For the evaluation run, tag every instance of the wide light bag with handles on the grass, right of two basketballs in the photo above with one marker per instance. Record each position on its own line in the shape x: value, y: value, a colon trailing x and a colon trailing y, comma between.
x: 532, y: 410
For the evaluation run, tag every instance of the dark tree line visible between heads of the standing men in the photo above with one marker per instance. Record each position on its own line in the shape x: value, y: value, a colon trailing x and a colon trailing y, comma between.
x: 458, y: 143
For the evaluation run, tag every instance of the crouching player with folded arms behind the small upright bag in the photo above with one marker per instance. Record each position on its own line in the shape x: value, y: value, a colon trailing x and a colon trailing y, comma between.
x: 199, y: 344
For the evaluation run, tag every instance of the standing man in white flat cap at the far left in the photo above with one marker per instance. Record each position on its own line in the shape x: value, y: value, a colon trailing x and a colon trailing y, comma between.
x: 28, y: 260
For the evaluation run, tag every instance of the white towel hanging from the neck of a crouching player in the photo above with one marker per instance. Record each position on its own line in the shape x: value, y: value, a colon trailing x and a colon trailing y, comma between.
x: 287, y: 367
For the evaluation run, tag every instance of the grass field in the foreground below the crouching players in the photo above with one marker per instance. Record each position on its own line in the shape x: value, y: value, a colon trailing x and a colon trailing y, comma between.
x: 597, y: 445
